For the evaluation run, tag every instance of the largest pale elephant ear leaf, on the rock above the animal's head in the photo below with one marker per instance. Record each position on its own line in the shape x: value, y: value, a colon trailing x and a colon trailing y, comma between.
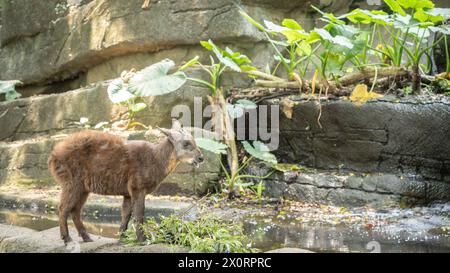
x: 154, y: 80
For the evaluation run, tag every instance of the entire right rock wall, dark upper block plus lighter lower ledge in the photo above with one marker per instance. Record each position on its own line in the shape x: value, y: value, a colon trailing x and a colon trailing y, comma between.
x: 386, y: 151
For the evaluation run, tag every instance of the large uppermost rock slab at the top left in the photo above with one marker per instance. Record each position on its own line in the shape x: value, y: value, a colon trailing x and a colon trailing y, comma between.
x: 62, y: 44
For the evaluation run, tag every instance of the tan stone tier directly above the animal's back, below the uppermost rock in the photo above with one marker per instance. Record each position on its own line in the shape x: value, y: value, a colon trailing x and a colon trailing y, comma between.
x: 56, y: 113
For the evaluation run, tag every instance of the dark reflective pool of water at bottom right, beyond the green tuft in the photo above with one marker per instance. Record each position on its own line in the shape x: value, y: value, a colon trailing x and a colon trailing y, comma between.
x: 339, y: 238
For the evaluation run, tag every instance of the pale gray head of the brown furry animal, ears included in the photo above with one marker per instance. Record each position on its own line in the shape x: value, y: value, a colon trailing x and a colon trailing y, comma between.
x: 186, y: 149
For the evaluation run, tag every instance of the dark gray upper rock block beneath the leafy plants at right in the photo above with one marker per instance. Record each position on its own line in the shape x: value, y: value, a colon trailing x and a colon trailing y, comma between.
x: 408, y: 137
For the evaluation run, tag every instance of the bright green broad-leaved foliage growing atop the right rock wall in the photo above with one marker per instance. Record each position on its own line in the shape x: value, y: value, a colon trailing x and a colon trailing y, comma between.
x: 345, y: 40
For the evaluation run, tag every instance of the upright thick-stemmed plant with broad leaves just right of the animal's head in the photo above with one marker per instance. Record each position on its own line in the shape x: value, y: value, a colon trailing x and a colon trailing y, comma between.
x: 224, y: 113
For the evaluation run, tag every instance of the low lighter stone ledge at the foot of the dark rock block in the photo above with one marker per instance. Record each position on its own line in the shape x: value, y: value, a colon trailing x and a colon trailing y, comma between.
x: 355, y: 189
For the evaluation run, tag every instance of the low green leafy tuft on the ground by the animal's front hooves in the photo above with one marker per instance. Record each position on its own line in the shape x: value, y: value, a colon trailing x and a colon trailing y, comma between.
x: 205, y: 234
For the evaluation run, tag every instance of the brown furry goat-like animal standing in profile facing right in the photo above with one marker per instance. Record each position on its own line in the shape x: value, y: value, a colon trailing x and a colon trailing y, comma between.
x: 91, y: 161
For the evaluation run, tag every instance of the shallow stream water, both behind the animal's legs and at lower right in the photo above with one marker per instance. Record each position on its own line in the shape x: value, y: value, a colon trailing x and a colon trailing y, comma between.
x: 408, y: 233
